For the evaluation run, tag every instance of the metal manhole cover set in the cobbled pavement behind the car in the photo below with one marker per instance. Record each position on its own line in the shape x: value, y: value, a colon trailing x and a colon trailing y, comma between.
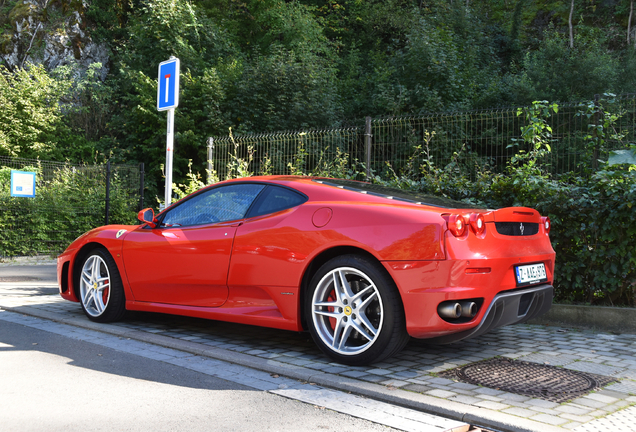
x: 529, y: 379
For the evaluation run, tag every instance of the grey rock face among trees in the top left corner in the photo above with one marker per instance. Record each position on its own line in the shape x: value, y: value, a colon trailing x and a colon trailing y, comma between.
x: 49, y: 33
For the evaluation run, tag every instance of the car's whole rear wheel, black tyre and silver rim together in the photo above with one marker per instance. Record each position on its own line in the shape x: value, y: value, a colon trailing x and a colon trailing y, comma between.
x: 354, y: 311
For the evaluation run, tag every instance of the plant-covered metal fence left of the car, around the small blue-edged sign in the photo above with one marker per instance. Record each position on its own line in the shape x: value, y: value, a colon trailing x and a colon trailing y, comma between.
x: 69, y: 200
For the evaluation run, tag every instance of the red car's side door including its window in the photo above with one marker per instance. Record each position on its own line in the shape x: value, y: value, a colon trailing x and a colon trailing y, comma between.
x: 185, y: 259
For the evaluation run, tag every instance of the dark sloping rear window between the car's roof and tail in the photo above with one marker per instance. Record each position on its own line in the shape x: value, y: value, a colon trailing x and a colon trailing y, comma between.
x: 396, y: 194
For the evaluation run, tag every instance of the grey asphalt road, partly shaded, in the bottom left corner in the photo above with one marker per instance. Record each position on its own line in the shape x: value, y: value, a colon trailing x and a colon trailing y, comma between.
x: 55, y: 383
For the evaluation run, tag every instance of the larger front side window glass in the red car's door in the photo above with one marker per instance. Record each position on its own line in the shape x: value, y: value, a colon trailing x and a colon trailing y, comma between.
x: 225, y: 203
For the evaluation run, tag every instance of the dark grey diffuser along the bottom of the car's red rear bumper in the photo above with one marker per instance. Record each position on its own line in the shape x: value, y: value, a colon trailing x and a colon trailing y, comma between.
x: 511, y: 307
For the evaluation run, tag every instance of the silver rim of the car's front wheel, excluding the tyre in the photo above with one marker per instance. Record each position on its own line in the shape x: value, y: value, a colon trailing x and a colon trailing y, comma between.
x: 95, y: 285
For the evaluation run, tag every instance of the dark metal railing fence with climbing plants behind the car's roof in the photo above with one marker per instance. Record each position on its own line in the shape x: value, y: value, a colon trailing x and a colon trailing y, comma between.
x: 475, y: 140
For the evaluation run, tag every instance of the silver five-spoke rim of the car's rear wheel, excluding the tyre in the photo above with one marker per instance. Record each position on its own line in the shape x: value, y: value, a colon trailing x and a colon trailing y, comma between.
x: 347, y: 311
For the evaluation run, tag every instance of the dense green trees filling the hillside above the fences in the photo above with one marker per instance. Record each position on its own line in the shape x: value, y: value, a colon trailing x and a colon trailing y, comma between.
x: 270, y: 65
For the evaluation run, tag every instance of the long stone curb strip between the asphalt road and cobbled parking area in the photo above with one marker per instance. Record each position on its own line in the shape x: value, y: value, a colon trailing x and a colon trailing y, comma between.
x: 449, y: 409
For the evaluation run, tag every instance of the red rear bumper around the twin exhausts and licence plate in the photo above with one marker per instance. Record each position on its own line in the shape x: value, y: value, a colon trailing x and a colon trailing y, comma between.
x: 424, y: 285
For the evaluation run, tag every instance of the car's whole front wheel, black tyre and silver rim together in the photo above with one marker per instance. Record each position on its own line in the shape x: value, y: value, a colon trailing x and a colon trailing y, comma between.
x: 101, y: 291
